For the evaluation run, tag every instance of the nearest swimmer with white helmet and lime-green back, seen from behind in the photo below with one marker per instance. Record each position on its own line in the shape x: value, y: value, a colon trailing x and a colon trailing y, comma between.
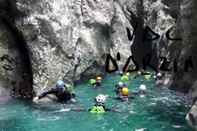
x: 99, y: 106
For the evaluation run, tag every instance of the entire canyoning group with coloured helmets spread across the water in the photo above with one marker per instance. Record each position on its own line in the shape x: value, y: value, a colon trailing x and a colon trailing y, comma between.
x: 65, y: 95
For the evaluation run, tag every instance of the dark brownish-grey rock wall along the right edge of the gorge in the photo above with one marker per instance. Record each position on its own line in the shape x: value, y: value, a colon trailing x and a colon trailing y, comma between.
x: 182, y: 54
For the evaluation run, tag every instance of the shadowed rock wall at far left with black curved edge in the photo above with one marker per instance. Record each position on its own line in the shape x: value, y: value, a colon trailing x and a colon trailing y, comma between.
x: 15, y: 67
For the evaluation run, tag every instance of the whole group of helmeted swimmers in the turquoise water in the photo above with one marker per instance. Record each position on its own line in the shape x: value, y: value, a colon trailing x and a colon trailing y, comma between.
x: 64, y: 95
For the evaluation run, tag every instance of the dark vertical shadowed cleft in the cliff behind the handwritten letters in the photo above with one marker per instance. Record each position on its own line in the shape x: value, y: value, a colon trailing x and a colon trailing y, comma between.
x: 141, y: 47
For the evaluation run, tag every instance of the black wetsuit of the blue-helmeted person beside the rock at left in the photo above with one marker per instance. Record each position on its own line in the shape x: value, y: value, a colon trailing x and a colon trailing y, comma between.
x: 63, y: 96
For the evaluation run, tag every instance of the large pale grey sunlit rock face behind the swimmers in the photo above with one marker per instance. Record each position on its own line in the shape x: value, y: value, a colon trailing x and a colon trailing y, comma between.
x: 70, y: 39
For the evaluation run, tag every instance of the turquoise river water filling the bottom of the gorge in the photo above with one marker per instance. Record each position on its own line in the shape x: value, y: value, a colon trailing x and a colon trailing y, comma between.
x: 160, y: 110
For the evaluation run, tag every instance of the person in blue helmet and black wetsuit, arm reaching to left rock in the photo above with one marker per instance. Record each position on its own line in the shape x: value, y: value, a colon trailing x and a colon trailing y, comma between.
x: 60, y: 91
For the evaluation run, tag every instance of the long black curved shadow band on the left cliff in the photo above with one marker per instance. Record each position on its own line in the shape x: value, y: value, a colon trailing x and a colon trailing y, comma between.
x: 8, y: 13
